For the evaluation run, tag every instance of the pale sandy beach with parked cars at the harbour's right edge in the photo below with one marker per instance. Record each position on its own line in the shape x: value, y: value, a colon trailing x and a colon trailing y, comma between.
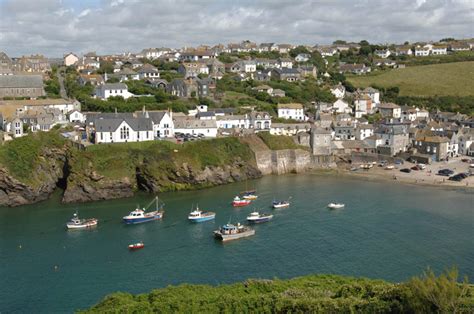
x: 427, y: 176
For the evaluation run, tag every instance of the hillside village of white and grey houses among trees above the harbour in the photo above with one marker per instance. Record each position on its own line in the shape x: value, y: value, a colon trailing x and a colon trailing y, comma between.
x: 237, y: 89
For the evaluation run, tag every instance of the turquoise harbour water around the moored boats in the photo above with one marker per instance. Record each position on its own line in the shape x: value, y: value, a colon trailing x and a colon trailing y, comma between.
x: 387, y: 230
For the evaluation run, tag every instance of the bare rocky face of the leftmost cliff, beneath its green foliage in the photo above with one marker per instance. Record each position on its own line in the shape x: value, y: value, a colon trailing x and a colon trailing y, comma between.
x: 48, y: 171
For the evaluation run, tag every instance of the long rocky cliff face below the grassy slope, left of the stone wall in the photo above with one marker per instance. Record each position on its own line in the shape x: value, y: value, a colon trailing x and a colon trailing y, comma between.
x: 85, y: 184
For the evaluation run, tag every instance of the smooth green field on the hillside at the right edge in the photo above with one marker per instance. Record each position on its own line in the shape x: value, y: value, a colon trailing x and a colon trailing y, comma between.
x: 448, y: 79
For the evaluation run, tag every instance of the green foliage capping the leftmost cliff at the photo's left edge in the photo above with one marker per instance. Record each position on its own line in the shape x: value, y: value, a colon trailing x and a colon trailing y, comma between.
x: 21, y: 156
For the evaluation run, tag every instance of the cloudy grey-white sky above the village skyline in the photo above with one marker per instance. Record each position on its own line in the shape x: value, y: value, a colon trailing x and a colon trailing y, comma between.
x: 55, y: 27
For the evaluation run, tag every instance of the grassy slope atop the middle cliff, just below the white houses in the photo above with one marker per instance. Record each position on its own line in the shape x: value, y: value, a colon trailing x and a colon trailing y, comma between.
x: 120, y: 160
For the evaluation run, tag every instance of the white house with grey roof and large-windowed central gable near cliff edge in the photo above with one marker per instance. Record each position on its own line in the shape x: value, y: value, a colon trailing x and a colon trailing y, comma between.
x: 123, y: 130
